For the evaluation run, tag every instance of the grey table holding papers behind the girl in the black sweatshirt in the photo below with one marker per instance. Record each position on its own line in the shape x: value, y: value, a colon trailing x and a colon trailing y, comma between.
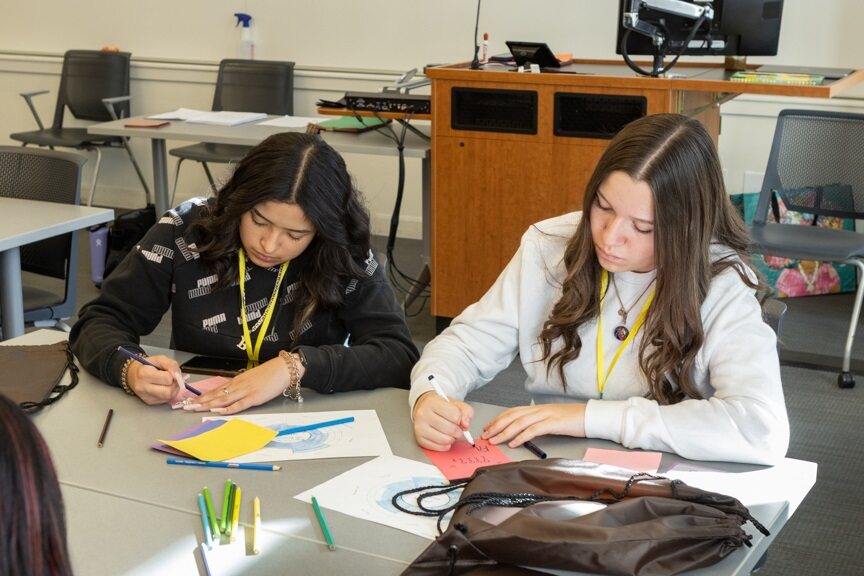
x: 372, y: 142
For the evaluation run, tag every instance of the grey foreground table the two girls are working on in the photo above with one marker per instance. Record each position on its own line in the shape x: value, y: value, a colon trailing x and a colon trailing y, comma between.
x: 125, y: 479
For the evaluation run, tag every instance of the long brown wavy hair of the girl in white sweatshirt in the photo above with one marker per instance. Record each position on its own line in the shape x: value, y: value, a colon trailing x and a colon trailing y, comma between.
x: 676, y: 157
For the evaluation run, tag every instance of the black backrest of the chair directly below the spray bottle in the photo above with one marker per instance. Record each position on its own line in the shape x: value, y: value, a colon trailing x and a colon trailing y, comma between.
x: 255, y: 86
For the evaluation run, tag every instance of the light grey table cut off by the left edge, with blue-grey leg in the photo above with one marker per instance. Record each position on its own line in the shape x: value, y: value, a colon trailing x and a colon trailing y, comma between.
x: 24, y: 222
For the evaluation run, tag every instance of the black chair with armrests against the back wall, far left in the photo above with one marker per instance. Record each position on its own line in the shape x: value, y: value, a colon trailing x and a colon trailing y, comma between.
x: 94, y: 85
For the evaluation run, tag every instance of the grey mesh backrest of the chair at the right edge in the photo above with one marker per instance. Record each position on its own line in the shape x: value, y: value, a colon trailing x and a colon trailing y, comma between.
x: 815, y: 165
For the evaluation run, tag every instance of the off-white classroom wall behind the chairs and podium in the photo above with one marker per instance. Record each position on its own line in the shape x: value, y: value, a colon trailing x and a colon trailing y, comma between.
x: 344, y: 45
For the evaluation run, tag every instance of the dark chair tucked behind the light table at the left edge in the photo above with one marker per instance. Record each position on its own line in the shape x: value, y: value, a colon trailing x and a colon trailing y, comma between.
x: 49, y: 266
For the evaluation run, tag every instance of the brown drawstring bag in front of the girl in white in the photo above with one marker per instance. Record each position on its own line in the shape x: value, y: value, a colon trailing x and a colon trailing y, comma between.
x: 522, y: 514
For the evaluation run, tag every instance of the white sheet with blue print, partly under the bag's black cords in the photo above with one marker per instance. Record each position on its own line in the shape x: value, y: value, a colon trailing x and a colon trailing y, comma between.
x: 366, y: 492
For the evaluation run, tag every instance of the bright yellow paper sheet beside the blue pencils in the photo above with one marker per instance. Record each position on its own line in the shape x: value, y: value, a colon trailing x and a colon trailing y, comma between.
x: 234, y: 438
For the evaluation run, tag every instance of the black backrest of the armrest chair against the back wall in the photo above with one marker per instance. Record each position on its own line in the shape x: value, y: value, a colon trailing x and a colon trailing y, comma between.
x: 87, y: 77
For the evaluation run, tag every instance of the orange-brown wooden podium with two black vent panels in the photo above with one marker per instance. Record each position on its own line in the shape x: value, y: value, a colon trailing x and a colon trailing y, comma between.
x: 510, y: 149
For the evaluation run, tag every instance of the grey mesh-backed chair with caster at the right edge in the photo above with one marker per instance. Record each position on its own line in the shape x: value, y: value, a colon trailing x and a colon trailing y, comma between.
x: 815, y: 167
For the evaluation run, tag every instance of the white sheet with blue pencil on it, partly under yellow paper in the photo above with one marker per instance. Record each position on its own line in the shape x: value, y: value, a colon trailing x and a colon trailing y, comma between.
x: 362, y: 437
